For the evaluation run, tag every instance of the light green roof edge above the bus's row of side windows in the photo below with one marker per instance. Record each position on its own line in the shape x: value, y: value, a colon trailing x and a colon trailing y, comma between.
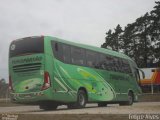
x: 89, y: 47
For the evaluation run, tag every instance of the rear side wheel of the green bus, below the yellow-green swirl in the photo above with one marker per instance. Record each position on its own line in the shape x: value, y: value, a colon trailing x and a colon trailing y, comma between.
x: 81, y: 99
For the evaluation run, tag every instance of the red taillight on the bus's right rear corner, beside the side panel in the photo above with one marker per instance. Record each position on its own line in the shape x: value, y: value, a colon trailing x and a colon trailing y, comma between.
x: 47, y: 82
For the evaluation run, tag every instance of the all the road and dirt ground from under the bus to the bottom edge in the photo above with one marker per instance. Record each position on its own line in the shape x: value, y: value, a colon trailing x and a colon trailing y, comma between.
x: 91, y: 112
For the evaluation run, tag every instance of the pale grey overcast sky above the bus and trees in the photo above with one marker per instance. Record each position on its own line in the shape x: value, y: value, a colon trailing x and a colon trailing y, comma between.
x: 81, y: 21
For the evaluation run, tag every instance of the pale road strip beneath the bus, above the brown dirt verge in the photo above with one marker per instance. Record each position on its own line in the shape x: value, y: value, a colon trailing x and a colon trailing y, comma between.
x: 136, y: 108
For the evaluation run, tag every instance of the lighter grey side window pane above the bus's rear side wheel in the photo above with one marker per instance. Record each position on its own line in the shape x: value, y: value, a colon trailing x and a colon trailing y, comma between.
x: 77, y: 56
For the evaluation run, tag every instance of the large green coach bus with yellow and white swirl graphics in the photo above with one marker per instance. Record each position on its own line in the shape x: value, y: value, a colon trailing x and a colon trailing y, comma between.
x: 49, y: 72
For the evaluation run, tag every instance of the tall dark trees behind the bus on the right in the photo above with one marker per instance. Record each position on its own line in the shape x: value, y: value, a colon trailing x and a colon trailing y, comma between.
x: 140, y: 40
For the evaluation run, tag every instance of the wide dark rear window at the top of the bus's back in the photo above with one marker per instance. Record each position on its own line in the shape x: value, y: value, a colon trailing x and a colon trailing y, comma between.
x: 29, y: 45
